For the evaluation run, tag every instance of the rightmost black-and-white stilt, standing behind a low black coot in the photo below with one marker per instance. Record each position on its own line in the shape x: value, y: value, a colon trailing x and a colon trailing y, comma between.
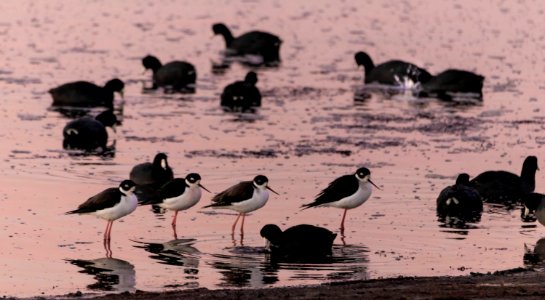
x: 346, y: 192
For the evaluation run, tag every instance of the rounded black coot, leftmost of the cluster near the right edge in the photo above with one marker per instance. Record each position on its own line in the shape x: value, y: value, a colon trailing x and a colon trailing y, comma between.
x: 460, y: 200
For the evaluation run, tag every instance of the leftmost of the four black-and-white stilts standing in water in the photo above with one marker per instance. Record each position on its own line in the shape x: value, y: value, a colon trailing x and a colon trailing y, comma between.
x: 110, y: 205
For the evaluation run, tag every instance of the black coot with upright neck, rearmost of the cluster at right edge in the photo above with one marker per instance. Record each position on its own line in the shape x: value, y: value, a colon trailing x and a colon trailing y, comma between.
x: 506, y: 187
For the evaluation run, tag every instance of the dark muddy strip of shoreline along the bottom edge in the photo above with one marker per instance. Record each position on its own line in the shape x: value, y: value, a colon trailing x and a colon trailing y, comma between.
x: 508, y: 284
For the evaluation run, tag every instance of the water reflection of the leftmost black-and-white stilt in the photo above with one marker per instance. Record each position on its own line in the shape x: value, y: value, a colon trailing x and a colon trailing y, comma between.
x: 111, y: 274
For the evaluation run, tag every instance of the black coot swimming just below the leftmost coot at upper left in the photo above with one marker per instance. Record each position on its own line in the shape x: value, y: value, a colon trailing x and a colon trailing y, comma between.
x: 89, y: 133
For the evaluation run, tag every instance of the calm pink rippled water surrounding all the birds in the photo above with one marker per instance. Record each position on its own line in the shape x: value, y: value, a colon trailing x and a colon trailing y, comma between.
x: 308, y: 132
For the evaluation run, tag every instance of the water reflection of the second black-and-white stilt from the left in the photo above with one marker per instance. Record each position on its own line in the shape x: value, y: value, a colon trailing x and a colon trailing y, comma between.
x: 178, y: 252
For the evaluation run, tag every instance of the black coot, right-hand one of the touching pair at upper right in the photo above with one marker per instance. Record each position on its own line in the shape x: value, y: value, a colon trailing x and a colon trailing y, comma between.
x: 448, y: 84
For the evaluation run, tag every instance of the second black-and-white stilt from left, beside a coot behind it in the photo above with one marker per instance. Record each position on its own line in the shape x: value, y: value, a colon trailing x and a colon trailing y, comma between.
x: 179, y: 194
